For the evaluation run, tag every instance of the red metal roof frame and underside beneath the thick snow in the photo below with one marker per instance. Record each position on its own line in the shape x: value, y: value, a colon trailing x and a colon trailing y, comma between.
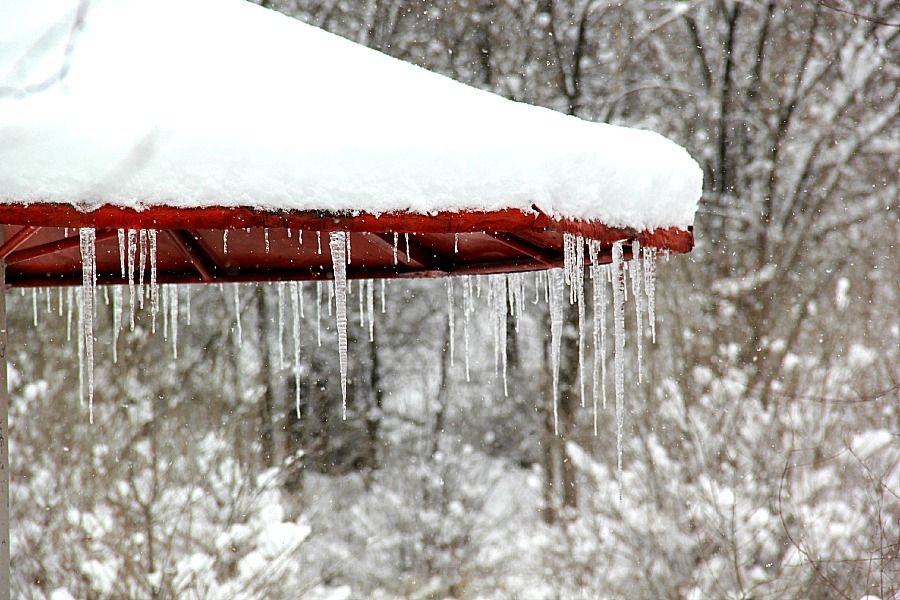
x: 42, y: 248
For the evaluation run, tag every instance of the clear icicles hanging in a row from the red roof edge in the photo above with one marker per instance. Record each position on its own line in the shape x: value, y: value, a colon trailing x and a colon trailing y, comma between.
x: 506, y: 295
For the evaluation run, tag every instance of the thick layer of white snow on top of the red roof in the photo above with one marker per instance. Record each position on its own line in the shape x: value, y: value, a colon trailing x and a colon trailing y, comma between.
x: 220, y: 102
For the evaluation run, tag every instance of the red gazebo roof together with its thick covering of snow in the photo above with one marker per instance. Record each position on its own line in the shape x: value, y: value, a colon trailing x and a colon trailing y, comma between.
x: 197, y: 117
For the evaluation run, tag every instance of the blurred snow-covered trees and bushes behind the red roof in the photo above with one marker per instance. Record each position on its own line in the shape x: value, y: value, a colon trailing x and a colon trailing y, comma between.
x: 762, y: 453
